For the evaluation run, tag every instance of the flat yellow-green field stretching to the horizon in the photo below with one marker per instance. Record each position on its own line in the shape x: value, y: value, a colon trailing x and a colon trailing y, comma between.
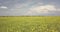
x: 30, y: 24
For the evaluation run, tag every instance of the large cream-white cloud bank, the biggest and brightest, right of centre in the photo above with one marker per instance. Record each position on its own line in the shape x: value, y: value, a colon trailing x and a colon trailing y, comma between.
x: 41, y: 9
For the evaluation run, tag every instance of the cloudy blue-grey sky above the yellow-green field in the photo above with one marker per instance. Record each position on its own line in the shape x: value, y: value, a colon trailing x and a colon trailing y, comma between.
x: 29, y: 7
